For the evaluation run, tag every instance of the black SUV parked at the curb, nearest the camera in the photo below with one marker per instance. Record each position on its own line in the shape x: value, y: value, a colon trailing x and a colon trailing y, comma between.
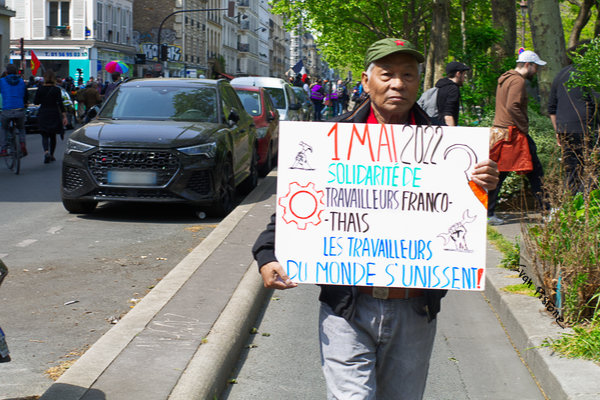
x: 163, y: 140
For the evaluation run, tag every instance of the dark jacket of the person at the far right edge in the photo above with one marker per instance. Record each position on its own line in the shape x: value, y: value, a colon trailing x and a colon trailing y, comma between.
x: 574, y: 109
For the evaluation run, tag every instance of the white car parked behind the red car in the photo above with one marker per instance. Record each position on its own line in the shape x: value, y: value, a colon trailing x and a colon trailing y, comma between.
x: 281, y: 93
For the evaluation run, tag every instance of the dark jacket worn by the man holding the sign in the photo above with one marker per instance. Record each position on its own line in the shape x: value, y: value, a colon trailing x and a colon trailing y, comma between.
x: 342, y: 299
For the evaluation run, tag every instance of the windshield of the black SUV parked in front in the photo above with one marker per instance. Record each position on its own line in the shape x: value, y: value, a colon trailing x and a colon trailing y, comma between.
x: 163, y: 103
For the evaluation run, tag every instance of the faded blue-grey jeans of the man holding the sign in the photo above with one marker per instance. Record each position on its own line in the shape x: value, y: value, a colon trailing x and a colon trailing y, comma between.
x: 382, y: 354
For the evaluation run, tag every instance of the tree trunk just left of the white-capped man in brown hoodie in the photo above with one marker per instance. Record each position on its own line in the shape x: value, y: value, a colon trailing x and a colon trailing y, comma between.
x: 504, y: 18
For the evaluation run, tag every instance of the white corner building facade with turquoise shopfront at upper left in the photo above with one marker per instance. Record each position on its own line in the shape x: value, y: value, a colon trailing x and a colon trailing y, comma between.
x: 75, y: 38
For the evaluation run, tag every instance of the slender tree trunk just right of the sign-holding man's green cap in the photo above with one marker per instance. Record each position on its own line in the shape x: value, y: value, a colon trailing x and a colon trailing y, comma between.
x: 438, y: 43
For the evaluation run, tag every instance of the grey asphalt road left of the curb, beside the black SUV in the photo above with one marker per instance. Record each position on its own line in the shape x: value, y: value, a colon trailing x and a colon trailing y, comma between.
x: 70, y: 276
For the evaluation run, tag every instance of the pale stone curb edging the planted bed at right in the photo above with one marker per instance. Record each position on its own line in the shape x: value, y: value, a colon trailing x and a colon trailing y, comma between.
x: 527, y: 325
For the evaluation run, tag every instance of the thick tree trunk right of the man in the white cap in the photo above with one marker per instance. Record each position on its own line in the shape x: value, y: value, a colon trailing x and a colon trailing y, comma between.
x: 548, y: 41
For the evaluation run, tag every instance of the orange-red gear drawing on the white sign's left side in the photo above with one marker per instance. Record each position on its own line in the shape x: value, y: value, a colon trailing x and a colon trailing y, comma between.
x: 302, y: 205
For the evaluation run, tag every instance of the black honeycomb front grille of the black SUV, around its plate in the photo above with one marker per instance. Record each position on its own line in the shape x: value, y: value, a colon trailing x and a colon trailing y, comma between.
x: 164, y: 163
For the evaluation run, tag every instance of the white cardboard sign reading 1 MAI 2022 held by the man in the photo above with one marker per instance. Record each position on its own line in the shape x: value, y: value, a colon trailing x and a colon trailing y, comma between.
x: 381, y: 205
